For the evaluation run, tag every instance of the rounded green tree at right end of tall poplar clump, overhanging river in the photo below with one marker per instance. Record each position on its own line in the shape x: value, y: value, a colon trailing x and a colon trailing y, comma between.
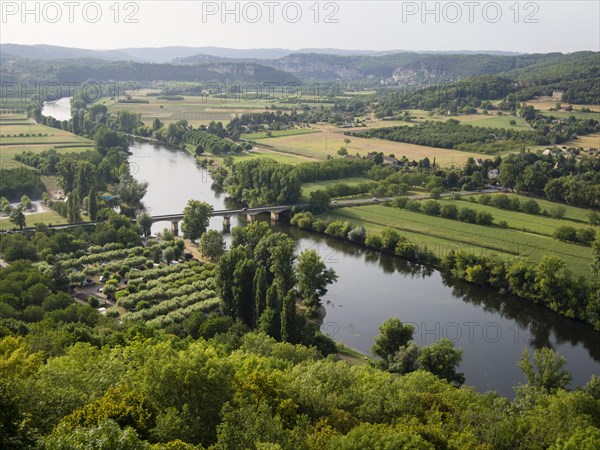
x: 313, y: 278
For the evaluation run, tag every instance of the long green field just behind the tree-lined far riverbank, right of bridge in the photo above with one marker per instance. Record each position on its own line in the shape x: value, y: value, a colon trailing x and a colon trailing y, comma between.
x: 442, y: 235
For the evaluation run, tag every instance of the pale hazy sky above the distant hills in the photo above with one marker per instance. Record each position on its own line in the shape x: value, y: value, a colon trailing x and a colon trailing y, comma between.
x: 539, y: 26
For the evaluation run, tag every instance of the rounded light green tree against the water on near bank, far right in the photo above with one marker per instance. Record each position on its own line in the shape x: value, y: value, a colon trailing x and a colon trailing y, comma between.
x: 546, y: 370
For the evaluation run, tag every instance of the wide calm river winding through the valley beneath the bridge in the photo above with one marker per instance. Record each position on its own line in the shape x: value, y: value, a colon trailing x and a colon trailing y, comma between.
x: 492, y: 330
